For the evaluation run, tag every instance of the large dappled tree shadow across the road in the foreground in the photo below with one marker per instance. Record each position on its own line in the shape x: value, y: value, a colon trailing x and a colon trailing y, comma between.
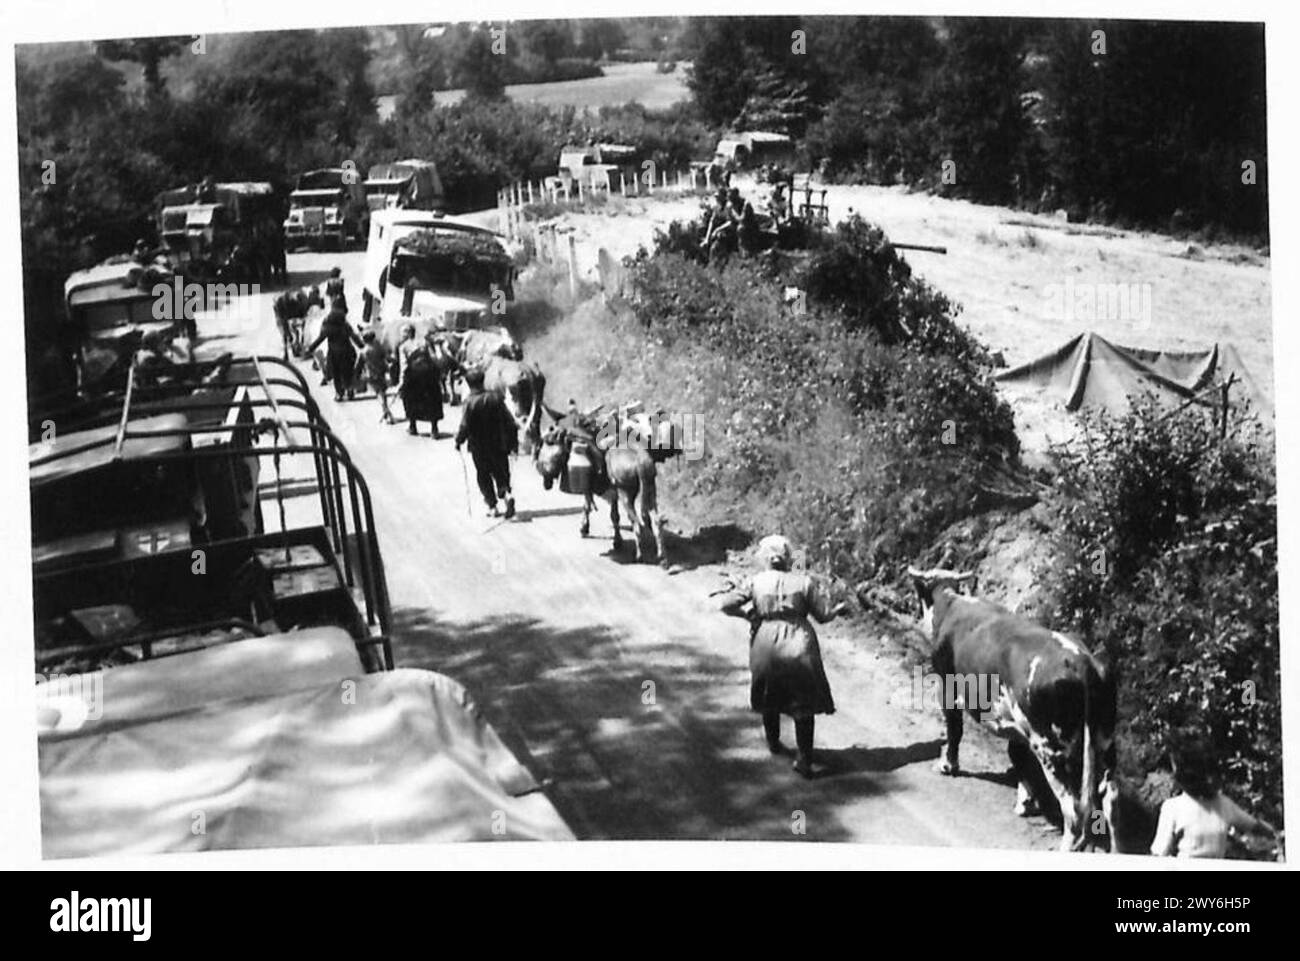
x: 636, y: 742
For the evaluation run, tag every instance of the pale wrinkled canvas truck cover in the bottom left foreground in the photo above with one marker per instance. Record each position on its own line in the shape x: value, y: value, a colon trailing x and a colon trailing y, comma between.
x: 406, y: 759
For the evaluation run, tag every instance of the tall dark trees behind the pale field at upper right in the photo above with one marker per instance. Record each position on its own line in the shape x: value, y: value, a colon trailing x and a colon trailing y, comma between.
x: 1154, y: 124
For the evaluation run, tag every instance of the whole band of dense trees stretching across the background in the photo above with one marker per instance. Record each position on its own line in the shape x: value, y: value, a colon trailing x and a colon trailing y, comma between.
x: 1151, y: 127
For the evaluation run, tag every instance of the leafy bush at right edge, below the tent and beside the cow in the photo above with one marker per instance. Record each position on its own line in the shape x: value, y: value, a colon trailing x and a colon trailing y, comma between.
x: 1168, y: 562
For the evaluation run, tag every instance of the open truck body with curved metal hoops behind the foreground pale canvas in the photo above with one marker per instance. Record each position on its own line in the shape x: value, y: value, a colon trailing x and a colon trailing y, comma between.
x: 327, y: 572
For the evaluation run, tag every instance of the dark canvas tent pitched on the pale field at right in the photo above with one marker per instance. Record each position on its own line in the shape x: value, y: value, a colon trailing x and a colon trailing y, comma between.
x: 1091, y: 373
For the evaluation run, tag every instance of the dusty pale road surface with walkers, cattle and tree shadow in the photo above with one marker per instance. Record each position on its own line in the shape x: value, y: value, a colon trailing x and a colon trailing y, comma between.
x: 619, y: 685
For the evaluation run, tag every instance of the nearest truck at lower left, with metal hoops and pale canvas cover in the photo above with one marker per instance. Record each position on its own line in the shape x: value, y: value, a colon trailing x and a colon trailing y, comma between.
x: 213, y: 639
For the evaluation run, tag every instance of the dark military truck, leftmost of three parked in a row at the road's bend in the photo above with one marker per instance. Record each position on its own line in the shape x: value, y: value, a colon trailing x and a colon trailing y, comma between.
x: 222, y: 232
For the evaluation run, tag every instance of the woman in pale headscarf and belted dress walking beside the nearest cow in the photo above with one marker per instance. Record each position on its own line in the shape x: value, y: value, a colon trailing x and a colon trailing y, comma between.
x: 785, y: 656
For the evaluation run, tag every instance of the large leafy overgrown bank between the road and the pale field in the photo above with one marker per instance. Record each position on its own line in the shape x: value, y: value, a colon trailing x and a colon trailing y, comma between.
x: 830, y: 426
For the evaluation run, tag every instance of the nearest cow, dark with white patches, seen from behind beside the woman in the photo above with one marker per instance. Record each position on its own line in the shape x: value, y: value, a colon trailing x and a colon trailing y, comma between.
x: 1052, y: 700
